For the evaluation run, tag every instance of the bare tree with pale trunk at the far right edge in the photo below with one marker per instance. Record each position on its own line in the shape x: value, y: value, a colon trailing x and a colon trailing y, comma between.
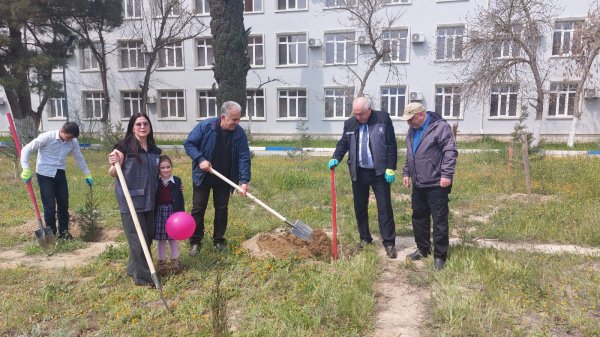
x: 583, y: 62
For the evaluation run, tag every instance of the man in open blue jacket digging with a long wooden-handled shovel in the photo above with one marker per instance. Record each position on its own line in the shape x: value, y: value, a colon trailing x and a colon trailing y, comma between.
x: 219, y: 143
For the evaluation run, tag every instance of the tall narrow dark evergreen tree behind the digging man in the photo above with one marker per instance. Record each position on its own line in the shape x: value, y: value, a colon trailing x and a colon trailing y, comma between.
x: 230, y: 42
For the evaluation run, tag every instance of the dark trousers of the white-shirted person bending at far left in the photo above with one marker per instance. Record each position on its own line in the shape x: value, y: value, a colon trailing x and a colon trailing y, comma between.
x: 55, y: 199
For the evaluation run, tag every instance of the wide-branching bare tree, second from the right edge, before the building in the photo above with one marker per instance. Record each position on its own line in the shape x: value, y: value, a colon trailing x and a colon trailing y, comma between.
x: 505, y: 45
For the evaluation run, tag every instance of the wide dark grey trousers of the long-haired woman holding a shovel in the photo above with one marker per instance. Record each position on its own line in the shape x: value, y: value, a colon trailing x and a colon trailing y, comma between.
x: 137, y: 266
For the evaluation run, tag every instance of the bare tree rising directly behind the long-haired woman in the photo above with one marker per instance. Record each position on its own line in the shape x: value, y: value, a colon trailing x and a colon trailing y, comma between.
x: 165, y: 23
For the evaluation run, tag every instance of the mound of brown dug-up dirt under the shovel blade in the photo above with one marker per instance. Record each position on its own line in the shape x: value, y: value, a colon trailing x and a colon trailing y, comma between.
x: 284, y: 244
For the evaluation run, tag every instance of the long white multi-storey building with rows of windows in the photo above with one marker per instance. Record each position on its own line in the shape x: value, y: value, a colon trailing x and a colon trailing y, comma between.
x: 307, y: 45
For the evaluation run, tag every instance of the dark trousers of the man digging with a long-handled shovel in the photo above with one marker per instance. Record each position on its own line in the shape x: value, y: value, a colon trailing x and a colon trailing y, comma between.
x: 221, y: 194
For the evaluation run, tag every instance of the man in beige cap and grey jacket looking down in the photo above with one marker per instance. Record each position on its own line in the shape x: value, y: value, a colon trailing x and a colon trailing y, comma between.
x: 430, y: 161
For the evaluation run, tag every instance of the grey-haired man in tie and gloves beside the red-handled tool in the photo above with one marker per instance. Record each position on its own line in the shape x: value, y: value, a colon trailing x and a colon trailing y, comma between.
x: 370, y: 141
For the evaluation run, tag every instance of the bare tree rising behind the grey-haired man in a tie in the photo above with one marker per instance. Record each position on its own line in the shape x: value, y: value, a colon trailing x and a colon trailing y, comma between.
x: 373, y: 21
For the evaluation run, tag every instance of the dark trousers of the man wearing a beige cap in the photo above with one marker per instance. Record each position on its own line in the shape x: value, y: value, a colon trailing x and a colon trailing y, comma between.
x: 428, y: 204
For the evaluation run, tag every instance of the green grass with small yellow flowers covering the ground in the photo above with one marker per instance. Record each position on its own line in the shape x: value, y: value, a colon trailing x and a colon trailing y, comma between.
x: 482, y: 292
